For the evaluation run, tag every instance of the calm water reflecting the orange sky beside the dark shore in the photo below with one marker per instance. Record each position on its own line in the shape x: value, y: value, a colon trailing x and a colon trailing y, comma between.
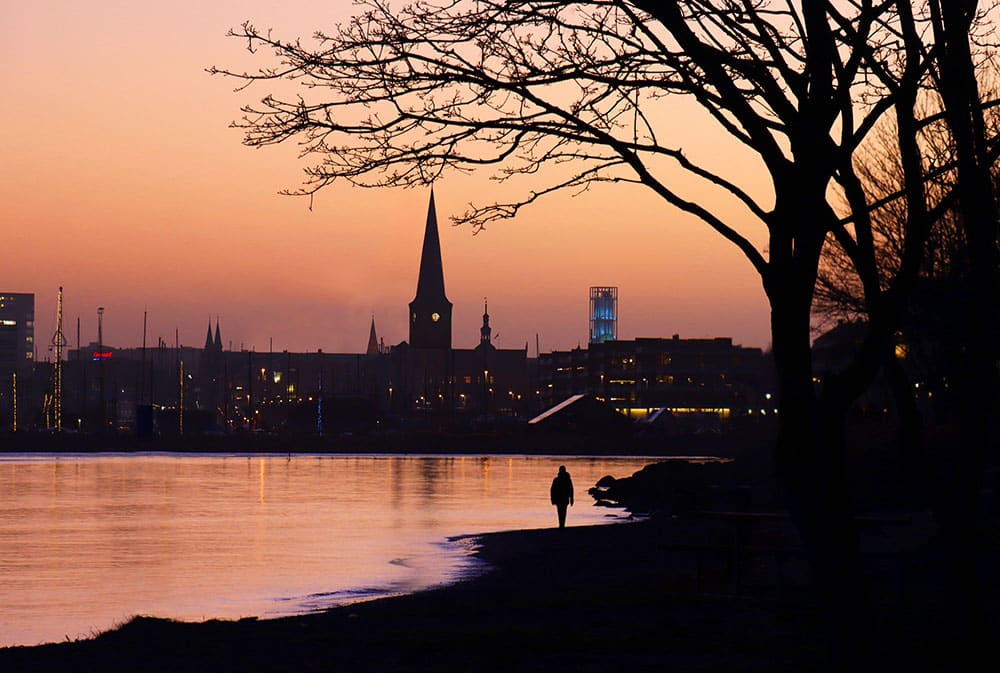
x: 88, y: 541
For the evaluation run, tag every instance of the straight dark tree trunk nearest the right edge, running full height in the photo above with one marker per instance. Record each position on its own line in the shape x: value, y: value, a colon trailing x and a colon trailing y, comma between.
x: 978, y: 209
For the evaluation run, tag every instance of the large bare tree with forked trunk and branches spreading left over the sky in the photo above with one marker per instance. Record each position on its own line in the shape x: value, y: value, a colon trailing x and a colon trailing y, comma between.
x: 551, y: 96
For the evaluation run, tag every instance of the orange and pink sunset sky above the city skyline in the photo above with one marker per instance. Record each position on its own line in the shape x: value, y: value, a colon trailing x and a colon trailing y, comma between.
x: 121, y: 181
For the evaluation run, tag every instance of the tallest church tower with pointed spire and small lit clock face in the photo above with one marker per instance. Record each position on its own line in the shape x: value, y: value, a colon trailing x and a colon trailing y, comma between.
x: 430, y: 310
